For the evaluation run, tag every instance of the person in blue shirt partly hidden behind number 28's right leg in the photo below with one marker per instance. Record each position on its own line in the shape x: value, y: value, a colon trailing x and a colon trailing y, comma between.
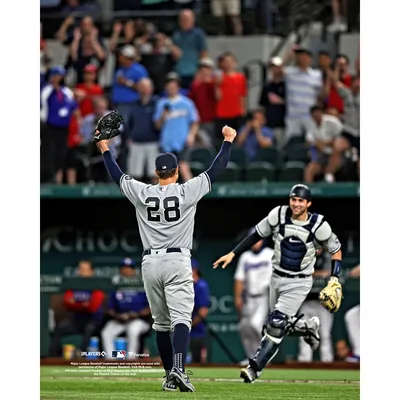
x: 200, y: 311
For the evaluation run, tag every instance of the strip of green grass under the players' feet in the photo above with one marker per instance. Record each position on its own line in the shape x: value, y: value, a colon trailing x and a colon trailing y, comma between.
x: 61, y: 383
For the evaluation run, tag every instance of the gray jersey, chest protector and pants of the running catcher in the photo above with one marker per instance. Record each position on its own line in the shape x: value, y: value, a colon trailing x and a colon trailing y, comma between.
x: 296, y: 244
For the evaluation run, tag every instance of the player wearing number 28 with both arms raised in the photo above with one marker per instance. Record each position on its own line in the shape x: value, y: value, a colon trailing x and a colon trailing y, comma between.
x: 165, y: 213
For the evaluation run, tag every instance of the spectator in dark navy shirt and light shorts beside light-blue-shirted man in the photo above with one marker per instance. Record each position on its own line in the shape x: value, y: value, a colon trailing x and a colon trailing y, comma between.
x: 143, y: 142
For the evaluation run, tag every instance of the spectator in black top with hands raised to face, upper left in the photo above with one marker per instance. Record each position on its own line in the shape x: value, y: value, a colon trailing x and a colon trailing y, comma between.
x: 86, y: 48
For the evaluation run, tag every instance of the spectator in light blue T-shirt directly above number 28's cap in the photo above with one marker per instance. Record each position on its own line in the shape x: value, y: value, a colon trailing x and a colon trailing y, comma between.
x: 177, y: 118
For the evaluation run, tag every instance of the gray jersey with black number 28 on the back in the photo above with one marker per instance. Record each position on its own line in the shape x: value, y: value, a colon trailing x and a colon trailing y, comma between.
x: 165, y: 214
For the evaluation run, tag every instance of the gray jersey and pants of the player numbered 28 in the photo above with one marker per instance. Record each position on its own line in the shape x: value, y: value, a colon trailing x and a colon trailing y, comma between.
x: 165, y: 216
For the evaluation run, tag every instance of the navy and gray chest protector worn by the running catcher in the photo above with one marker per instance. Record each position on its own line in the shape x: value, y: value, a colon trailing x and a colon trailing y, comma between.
x: 294, y: 244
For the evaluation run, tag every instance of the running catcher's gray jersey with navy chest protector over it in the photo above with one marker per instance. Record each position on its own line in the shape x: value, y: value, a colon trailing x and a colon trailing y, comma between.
x: 296, y: 242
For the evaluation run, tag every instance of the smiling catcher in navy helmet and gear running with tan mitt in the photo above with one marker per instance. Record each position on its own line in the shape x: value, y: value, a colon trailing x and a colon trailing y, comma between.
x: 297, y: 236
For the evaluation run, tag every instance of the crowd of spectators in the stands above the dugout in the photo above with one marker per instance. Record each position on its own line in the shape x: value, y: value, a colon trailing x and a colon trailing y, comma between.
x: 175, y: 98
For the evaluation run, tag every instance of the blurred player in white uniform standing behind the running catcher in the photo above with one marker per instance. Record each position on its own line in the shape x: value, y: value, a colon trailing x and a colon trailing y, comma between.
x: 252, y: 277
